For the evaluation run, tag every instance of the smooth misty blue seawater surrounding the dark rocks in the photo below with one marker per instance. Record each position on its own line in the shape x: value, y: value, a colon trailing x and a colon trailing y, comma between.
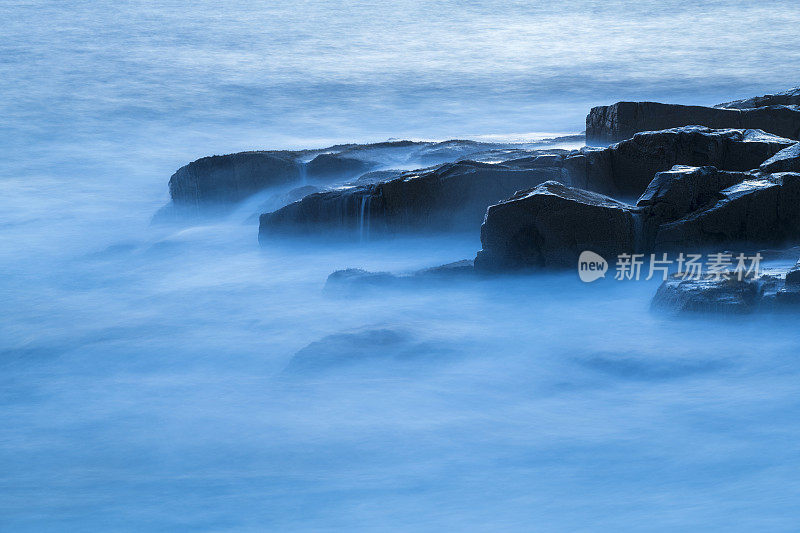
x: 145, y: 371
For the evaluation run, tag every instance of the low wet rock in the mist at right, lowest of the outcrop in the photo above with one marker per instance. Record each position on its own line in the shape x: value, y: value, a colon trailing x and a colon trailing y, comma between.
x: 772, y: 291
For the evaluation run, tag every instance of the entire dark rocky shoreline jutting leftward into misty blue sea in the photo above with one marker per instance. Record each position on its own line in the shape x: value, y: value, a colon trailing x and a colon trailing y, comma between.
x: 676, y: 178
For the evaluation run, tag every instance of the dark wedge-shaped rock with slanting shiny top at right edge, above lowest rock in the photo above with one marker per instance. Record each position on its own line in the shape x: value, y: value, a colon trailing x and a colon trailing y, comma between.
x: 760, y: 210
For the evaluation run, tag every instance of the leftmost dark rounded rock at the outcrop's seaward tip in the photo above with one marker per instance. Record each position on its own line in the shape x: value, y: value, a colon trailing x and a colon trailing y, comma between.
x: 231, y: 178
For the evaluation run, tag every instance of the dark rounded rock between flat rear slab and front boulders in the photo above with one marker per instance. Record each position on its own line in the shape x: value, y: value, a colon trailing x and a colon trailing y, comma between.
x: 626, y: 168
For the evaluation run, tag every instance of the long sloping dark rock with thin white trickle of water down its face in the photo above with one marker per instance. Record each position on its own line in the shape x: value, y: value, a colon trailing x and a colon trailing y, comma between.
x: 451, y: 197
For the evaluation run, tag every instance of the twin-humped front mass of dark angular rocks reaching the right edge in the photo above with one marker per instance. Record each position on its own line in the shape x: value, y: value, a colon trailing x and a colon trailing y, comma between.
x: 685, y: 208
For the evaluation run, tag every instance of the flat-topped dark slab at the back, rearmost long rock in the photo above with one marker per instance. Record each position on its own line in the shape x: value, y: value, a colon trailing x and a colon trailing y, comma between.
x: 620, y: 121
